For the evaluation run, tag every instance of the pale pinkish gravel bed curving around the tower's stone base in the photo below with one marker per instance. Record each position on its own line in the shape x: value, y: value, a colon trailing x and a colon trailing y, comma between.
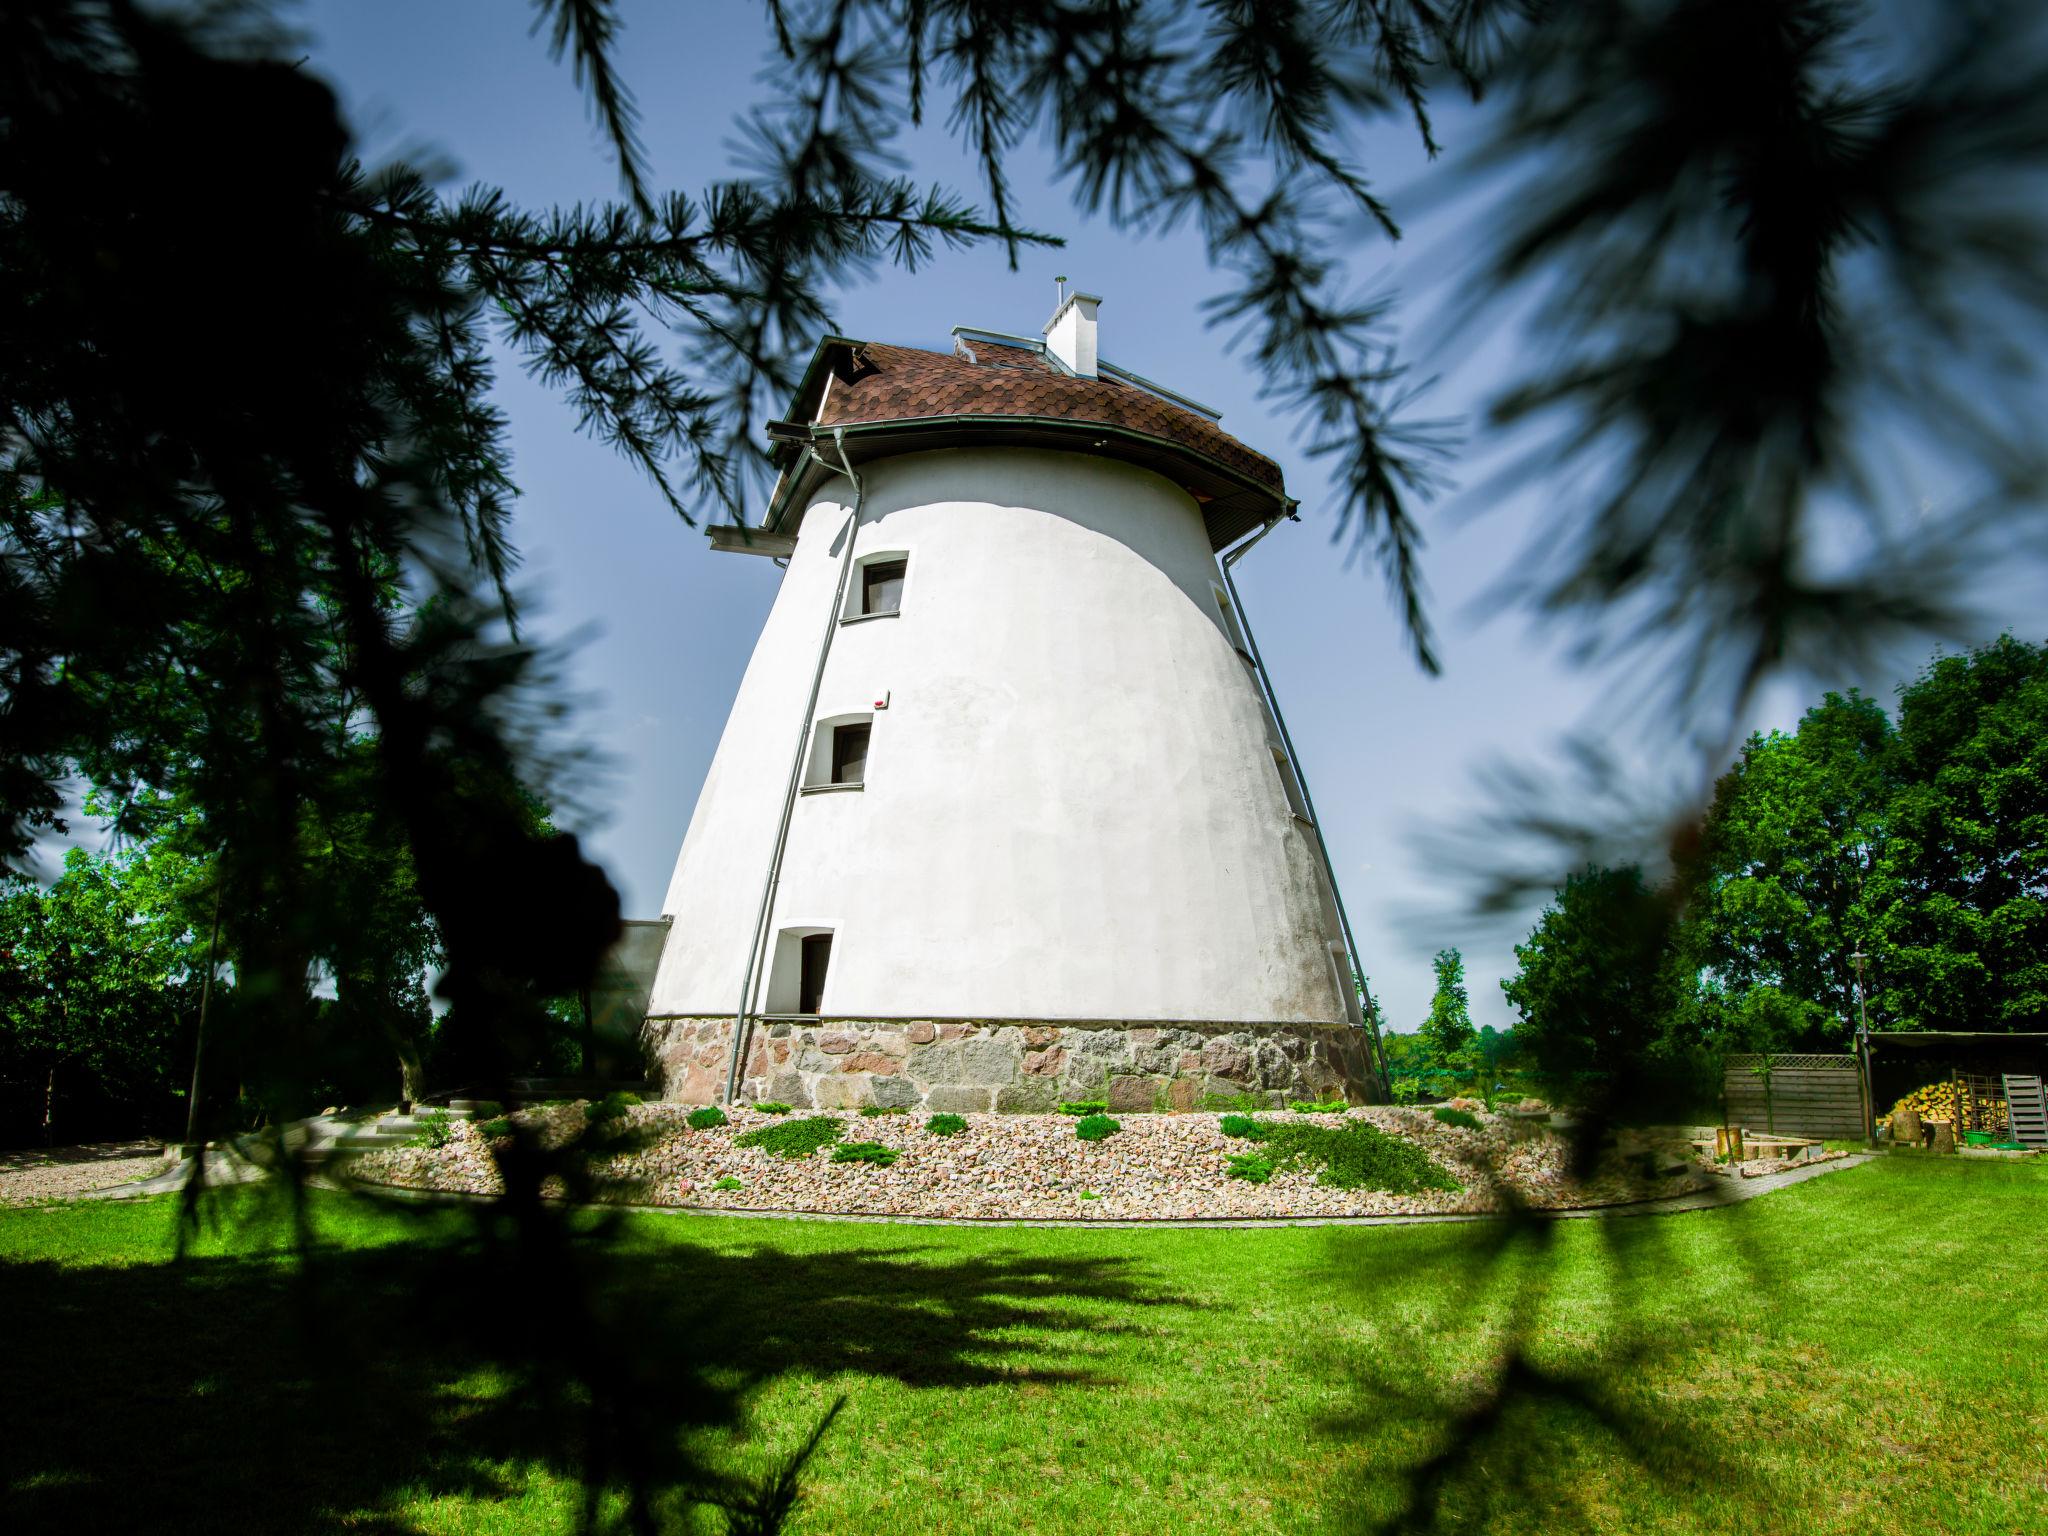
x: 1033, y: 1166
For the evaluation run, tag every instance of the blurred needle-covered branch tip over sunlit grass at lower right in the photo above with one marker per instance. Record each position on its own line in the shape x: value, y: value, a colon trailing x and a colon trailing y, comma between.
x: 1529, y: 1428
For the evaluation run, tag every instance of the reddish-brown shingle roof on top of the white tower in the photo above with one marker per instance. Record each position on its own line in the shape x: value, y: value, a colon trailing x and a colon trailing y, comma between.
x: 902, y: 384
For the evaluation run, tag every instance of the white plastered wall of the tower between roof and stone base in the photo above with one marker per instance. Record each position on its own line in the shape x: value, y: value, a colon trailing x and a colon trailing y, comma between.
x: 1072, y: 808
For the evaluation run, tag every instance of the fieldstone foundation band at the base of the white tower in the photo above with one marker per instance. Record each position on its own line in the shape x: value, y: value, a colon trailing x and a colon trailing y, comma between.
x: 978, y: 1066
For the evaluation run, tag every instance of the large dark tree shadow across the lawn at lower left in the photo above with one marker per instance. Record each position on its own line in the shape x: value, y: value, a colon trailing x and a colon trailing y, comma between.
x: 251, y: 1394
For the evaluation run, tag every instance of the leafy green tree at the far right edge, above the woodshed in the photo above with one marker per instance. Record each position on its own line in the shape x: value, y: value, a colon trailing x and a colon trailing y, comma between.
x: 1959, y: 898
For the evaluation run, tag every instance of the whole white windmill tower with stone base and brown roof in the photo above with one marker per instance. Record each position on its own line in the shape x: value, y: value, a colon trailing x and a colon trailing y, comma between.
x: 1002, y: 814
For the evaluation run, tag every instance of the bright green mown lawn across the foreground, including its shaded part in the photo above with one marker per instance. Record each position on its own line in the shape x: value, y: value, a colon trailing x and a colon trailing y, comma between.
x: 1867, y: 1353
